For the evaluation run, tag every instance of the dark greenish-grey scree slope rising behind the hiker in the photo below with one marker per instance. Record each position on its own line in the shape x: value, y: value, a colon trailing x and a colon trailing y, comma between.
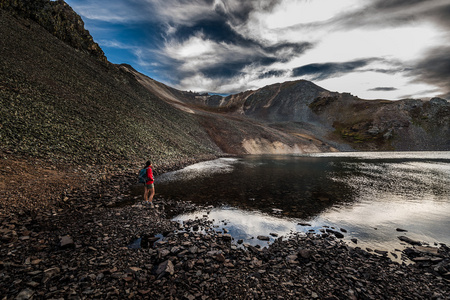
x: 57, y: 102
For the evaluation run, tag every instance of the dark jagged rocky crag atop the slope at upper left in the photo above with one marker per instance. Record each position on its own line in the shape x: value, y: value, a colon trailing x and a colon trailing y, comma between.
x: 58, y: 18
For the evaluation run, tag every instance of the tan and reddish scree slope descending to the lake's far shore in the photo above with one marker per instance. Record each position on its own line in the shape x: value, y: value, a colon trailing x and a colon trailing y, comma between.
x: 233, y: 132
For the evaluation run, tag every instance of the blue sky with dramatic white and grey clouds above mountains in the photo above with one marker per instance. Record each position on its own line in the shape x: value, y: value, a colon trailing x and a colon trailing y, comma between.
x: 373, y: 49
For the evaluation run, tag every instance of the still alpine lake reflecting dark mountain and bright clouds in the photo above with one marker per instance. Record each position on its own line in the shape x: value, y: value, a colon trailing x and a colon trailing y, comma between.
x: 369, y: 195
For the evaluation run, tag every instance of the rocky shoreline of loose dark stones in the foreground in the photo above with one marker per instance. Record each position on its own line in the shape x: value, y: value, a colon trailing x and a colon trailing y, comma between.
x: 89, y: 246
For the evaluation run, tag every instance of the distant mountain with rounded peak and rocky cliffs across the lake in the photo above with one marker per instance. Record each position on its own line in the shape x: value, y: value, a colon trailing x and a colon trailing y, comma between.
x: 341, y: 120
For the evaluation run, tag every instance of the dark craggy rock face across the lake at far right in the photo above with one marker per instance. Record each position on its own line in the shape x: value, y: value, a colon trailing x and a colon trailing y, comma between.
x: 386, y: 125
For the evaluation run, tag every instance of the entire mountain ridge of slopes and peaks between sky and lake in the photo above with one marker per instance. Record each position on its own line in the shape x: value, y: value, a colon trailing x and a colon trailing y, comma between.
x: 289, y: 117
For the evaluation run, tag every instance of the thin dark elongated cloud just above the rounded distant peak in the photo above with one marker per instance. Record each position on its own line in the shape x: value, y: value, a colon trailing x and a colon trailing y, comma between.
x: 327, y: 70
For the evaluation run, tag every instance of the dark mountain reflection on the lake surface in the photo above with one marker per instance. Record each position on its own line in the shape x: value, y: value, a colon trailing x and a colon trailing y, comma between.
x: 301, y: 186
